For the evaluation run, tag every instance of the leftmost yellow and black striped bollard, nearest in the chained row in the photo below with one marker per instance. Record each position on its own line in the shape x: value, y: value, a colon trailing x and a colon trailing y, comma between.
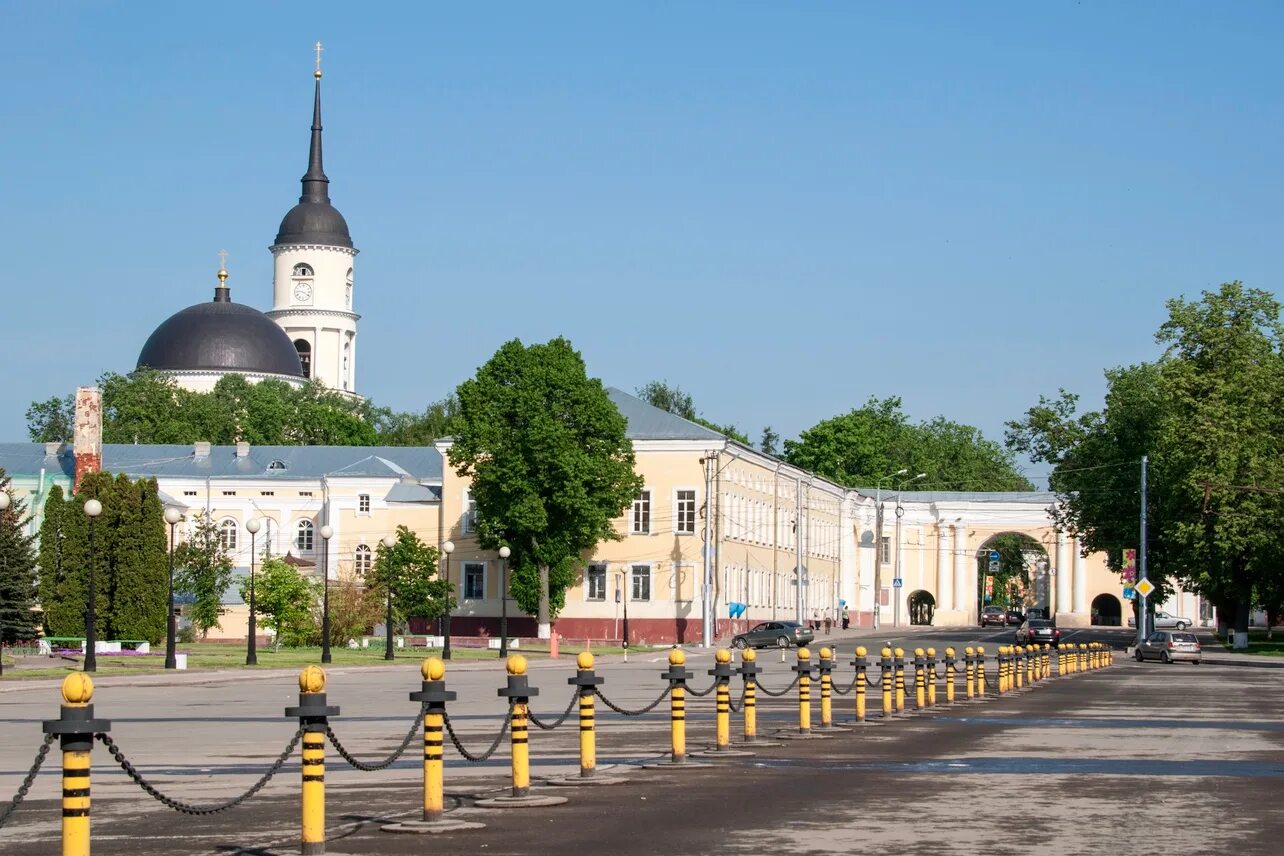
x: 75, y: 730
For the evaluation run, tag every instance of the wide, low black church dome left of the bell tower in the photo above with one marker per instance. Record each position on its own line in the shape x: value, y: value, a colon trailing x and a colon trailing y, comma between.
x: 221, y: 337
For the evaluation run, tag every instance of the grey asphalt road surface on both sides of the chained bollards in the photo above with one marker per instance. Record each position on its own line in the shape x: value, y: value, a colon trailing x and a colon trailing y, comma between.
x: 1138, y: 759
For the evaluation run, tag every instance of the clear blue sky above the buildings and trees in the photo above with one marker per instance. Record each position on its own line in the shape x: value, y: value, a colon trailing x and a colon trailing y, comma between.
x: 784, y: 209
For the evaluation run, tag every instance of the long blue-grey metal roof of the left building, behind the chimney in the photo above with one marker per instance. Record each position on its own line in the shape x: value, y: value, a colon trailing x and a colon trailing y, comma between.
x: 300, y: 463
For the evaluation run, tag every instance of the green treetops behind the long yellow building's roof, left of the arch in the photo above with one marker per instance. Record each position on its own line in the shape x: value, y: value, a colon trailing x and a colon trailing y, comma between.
x: 861, y: 447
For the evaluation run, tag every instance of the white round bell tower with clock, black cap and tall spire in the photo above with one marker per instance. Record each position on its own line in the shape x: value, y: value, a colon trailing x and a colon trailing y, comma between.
x: 313, y: 275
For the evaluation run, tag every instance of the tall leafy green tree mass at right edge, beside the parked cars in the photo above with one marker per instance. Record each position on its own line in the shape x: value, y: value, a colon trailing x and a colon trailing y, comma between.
x: 1208, y: 415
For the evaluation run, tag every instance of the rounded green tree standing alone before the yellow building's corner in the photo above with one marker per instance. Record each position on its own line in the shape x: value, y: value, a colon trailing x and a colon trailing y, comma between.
x: 550, y: 463
